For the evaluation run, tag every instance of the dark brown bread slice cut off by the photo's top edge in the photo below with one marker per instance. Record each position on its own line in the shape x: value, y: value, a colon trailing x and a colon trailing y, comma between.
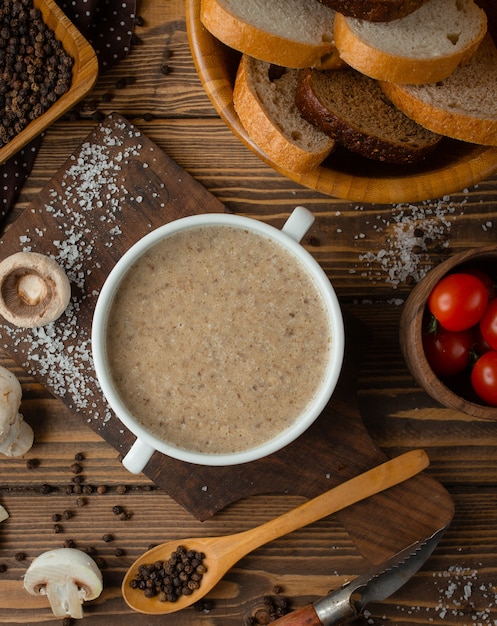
x: 374, y: 10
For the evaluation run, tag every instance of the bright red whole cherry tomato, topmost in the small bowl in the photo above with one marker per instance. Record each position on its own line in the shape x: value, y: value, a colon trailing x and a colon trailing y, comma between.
x: 458, y: 301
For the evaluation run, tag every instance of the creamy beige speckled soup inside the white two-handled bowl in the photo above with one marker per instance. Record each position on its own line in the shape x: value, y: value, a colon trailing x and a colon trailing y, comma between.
x: 218, y: 339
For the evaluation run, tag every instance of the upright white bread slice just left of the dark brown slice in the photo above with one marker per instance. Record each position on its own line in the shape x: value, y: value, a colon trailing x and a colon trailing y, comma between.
x: 266, y: 108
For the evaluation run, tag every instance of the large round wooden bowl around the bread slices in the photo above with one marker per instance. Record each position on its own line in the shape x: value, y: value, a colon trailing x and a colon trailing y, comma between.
x: 453, y: 167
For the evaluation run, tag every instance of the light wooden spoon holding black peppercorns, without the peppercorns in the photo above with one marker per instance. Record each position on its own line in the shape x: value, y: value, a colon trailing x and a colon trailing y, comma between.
x: 221, y: 553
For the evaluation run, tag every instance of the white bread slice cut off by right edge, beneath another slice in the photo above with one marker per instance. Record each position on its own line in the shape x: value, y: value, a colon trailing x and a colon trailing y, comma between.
x: 463, y: 106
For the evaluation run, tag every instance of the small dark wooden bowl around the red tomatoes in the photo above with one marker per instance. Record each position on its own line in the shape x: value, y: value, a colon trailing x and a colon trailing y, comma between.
x: 411, y: 342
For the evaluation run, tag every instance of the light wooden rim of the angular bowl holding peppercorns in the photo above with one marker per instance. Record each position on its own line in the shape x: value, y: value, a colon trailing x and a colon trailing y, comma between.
x: 84, y: 71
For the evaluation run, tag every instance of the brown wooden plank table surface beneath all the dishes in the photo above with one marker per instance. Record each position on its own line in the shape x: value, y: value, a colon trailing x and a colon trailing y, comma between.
x: 367, y: 251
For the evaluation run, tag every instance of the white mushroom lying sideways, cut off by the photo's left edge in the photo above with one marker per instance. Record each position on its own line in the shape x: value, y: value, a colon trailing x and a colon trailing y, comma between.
x: 16, y: 436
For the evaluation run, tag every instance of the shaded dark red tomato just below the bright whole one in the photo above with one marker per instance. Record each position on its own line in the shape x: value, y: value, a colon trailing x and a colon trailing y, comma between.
x: 448, y: 352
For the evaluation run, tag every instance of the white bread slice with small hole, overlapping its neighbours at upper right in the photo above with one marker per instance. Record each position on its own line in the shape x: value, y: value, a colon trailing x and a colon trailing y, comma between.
x: 423, y: 47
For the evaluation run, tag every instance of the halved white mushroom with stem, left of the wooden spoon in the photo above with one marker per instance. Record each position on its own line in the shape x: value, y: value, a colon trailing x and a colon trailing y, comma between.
x: 67, y: 577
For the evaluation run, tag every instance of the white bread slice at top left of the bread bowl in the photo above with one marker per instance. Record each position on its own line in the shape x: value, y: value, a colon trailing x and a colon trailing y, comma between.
x: 289, y: 33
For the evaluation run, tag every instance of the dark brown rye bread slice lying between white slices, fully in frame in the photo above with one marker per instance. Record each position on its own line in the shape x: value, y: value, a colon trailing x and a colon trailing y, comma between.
x: 352, y: 109
